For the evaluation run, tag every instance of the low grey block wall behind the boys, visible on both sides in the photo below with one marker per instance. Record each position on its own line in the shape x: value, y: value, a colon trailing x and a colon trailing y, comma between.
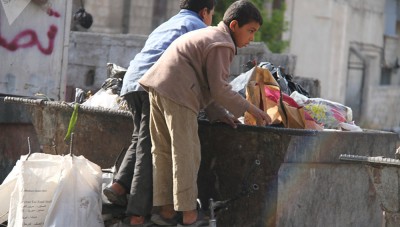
x: 89, y: 54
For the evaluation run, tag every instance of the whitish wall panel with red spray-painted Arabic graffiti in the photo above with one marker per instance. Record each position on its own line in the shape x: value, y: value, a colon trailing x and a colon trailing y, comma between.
x: 32, y: 50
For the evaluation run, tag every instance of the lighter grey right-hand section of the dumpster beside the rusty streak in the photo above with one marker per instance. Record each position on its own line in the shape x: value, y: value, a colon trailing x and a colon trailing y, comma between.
x: 315, y: 188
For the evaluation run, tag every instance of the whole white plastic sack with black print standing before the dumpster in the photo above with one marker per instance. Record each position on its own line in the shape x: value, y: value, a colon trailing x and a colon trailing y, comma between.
x: 52, y: 190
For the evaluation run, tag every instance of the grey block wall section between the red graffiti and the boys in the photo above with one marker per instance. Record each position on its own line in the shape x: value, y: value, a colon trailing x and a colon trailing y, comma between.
x: 89, y: 54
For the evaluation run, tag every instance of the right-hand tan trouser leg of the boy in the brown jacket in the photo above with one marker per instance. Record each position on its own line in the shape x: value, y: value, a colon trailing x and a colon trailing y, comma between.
x: 183, y: 132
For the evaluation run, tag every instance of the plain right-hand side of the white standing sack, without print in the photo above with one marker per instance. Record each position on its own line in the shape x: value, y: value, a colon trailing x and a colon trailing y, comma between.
x: 77, y: 200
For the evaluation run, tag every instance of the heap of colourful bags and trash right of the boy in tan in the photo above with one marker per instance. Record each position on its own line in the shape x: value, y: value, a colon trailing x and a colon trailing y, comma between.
x: 288, y: 103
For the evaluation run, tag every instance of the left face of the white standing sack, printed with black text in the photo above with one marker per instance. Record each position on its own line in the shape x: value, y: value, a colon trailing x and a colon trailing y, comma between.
x: 36, y: 183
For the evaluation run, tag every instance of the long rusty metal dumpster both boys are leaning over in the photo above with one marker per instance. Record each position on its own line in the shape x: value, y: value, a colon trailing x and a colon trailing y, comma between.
x: 242, y: 166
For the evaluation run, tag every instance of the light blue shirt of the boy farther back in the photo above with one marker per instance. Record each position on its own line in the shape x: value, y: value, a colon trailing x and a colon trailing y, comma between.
x: 157, y: 42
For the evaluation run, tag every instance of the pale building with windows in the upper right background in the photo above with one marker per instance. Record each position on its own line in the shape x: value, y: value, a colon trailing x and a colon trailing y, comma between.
x: 352, y: 47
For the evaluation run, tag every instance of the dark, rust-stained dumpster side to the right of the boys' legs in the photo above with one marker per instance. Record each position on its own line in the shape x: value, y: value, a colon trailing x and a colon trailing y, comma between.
x: 298, y: 170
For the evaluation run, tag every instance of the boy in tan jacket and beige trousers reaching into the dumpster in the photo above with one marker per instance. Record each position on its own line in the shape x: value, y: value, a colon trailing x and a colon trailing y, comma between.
x: 191, y: 75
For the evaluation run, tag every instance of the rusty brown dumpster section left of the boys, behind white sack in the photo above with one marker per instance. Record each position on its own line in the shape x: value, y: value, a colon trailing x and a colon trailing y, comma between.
x: 100, y: 134
